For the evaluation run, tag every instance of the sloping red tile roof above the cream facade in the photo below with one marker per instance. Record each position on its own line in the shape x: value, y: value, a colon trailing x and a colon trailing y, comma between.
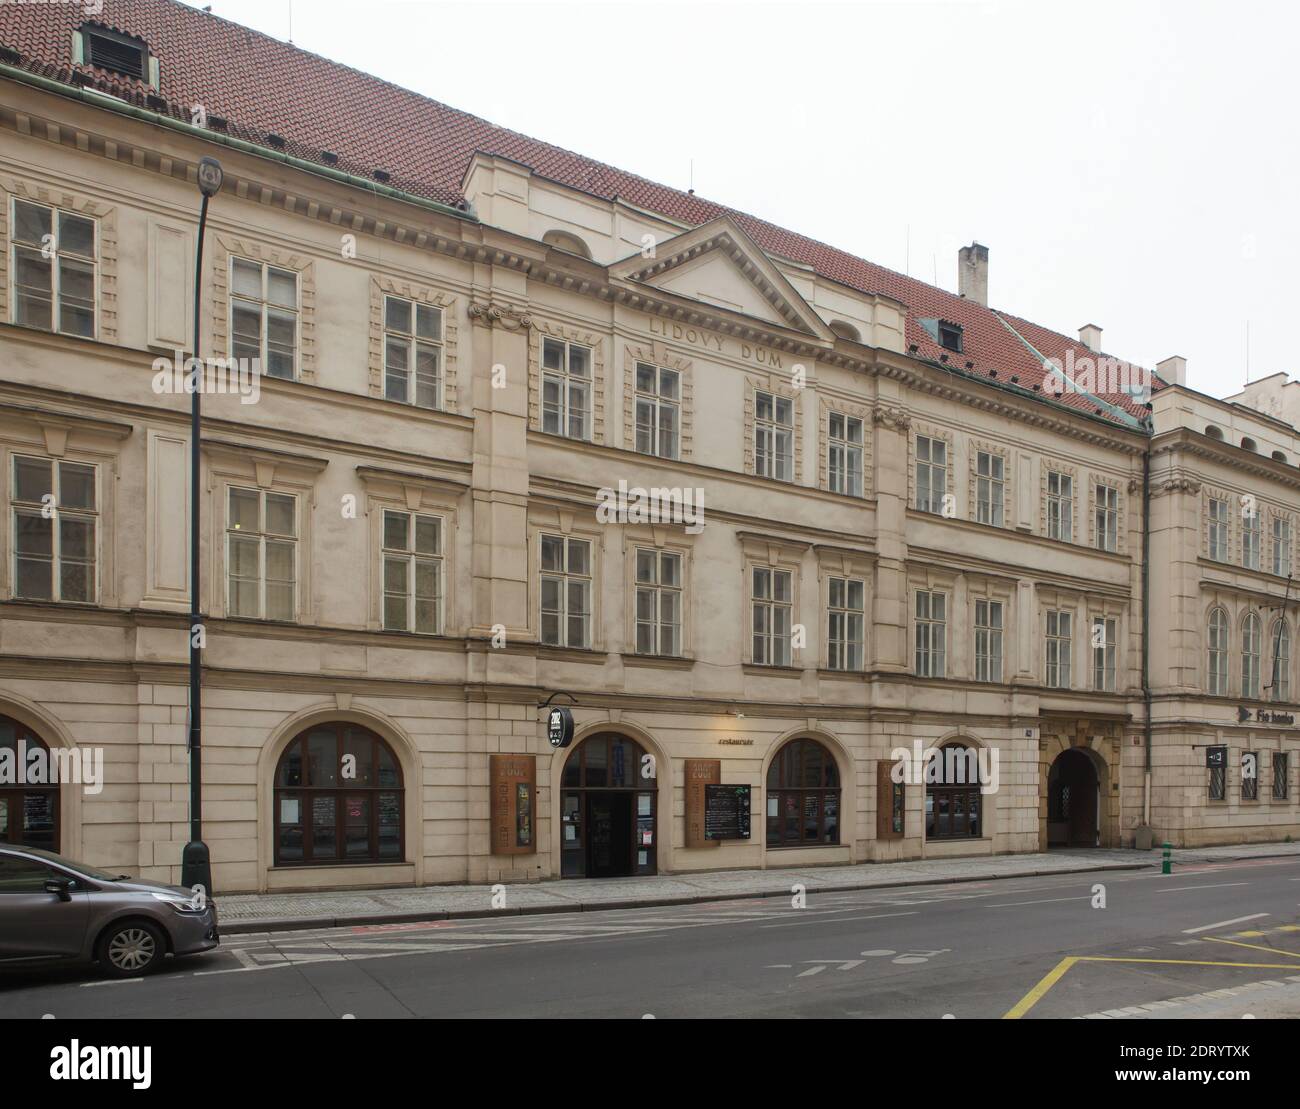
x: 265, y: 86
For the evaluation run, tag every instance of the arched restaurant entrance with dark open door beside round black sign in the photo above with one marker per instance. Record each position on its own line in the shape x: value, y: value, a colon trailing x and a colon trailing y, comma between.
x: 609, y: 809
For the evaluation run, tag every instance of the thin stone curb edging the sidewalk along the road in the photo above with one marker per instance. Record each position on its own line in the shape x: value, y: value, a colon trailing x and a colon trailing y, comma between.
x: 421, y: 916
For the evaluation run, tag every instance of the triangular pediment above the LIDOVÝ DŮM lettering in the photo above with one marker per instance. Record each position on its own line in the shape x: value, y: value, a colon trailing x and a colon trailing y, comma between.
x: 721, y: 266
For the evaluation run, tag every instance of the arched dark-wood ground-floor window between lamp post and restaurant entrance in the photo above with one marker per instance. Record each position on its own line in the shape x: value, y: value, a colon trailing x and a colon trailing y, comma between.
x: 339, y: 799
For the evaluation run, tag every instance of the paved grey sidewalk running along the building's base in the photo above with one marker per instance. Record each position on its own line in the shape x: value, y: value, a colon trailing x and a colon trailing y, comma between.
x: 245, y: 913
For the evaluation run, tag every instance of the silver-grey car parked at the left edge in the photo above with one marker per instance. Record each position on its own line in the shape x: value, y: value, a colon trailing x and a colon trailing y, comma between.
x: 54, y: 911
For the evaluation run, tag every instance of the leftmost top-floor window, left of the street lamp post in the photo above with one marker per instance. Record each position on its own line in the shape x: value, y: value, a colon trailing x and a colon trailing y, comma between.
x: 55, y: 270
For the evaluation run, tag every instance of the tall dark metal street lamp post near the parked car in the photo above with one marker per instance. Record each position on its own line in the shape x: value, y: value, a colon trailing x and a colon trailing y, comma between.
x: 196, y: 863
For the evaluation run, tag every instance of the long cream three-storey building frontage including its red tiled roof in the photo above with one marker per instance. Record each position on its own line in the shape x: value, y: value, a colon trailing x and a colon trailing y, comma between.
x: 760, y: 515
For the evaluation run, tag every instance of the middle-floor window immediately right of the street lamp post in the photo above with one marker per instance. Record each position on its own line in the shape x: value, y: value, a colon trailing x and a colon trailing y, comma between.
x: 262, y: 554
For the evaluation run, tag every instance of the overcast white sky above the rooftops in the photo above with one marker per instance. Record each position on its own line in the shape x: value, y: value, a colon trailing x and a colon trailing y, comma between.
x: 1133, y: 166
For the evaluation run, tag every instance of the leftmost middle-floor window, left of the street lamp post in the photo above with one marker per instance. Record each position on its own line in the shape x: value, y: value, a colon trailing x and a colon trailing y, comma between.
x: 55, y: 530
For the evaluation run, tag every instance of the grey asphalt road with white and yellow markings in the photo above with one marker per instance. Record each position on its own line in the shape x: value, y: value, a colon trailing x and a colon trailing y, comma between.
x: 1032, y: 948
